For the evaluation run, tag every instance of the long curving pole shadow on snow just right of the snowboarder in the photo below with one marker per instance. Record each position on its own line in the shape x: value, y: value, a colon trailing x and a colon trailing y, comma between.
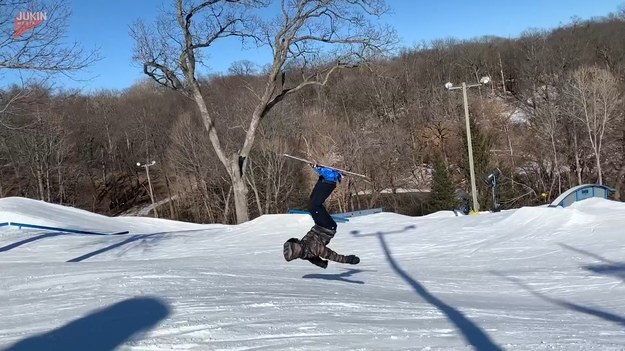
x: 471, y: 332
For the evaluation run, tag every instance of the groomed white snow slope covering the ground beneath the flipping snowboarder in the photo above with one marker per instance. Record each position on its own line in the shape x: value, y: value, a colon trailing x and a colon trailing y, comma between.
x: 535, y: 278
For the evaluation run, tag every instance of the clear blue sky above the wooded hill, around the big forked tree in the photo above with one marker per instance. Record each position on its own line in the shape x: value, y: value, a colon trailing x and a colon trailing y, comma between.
x: 105, y: 24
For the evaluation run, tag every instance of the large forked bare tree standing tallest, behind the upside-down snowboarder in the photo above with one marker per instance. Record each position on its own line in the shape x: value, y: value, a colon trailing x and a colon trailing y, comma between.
x: 316, y: 37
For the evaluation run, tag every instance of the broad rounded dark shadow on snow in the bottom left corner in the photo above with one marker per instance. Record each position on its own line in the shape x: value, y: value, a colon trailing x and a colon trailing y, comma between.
x: 102, y: 330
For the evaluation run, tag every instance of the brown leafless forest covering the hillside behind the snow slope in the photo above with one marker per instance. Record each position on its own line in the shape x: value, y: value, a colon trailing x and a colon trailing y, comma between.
x: 551, y: 118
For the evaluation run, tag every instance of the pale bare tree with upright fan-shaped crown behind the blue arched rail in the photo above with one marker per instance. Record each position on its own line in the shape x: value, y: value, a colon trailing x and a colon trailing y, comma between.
x: 596, y: 97
